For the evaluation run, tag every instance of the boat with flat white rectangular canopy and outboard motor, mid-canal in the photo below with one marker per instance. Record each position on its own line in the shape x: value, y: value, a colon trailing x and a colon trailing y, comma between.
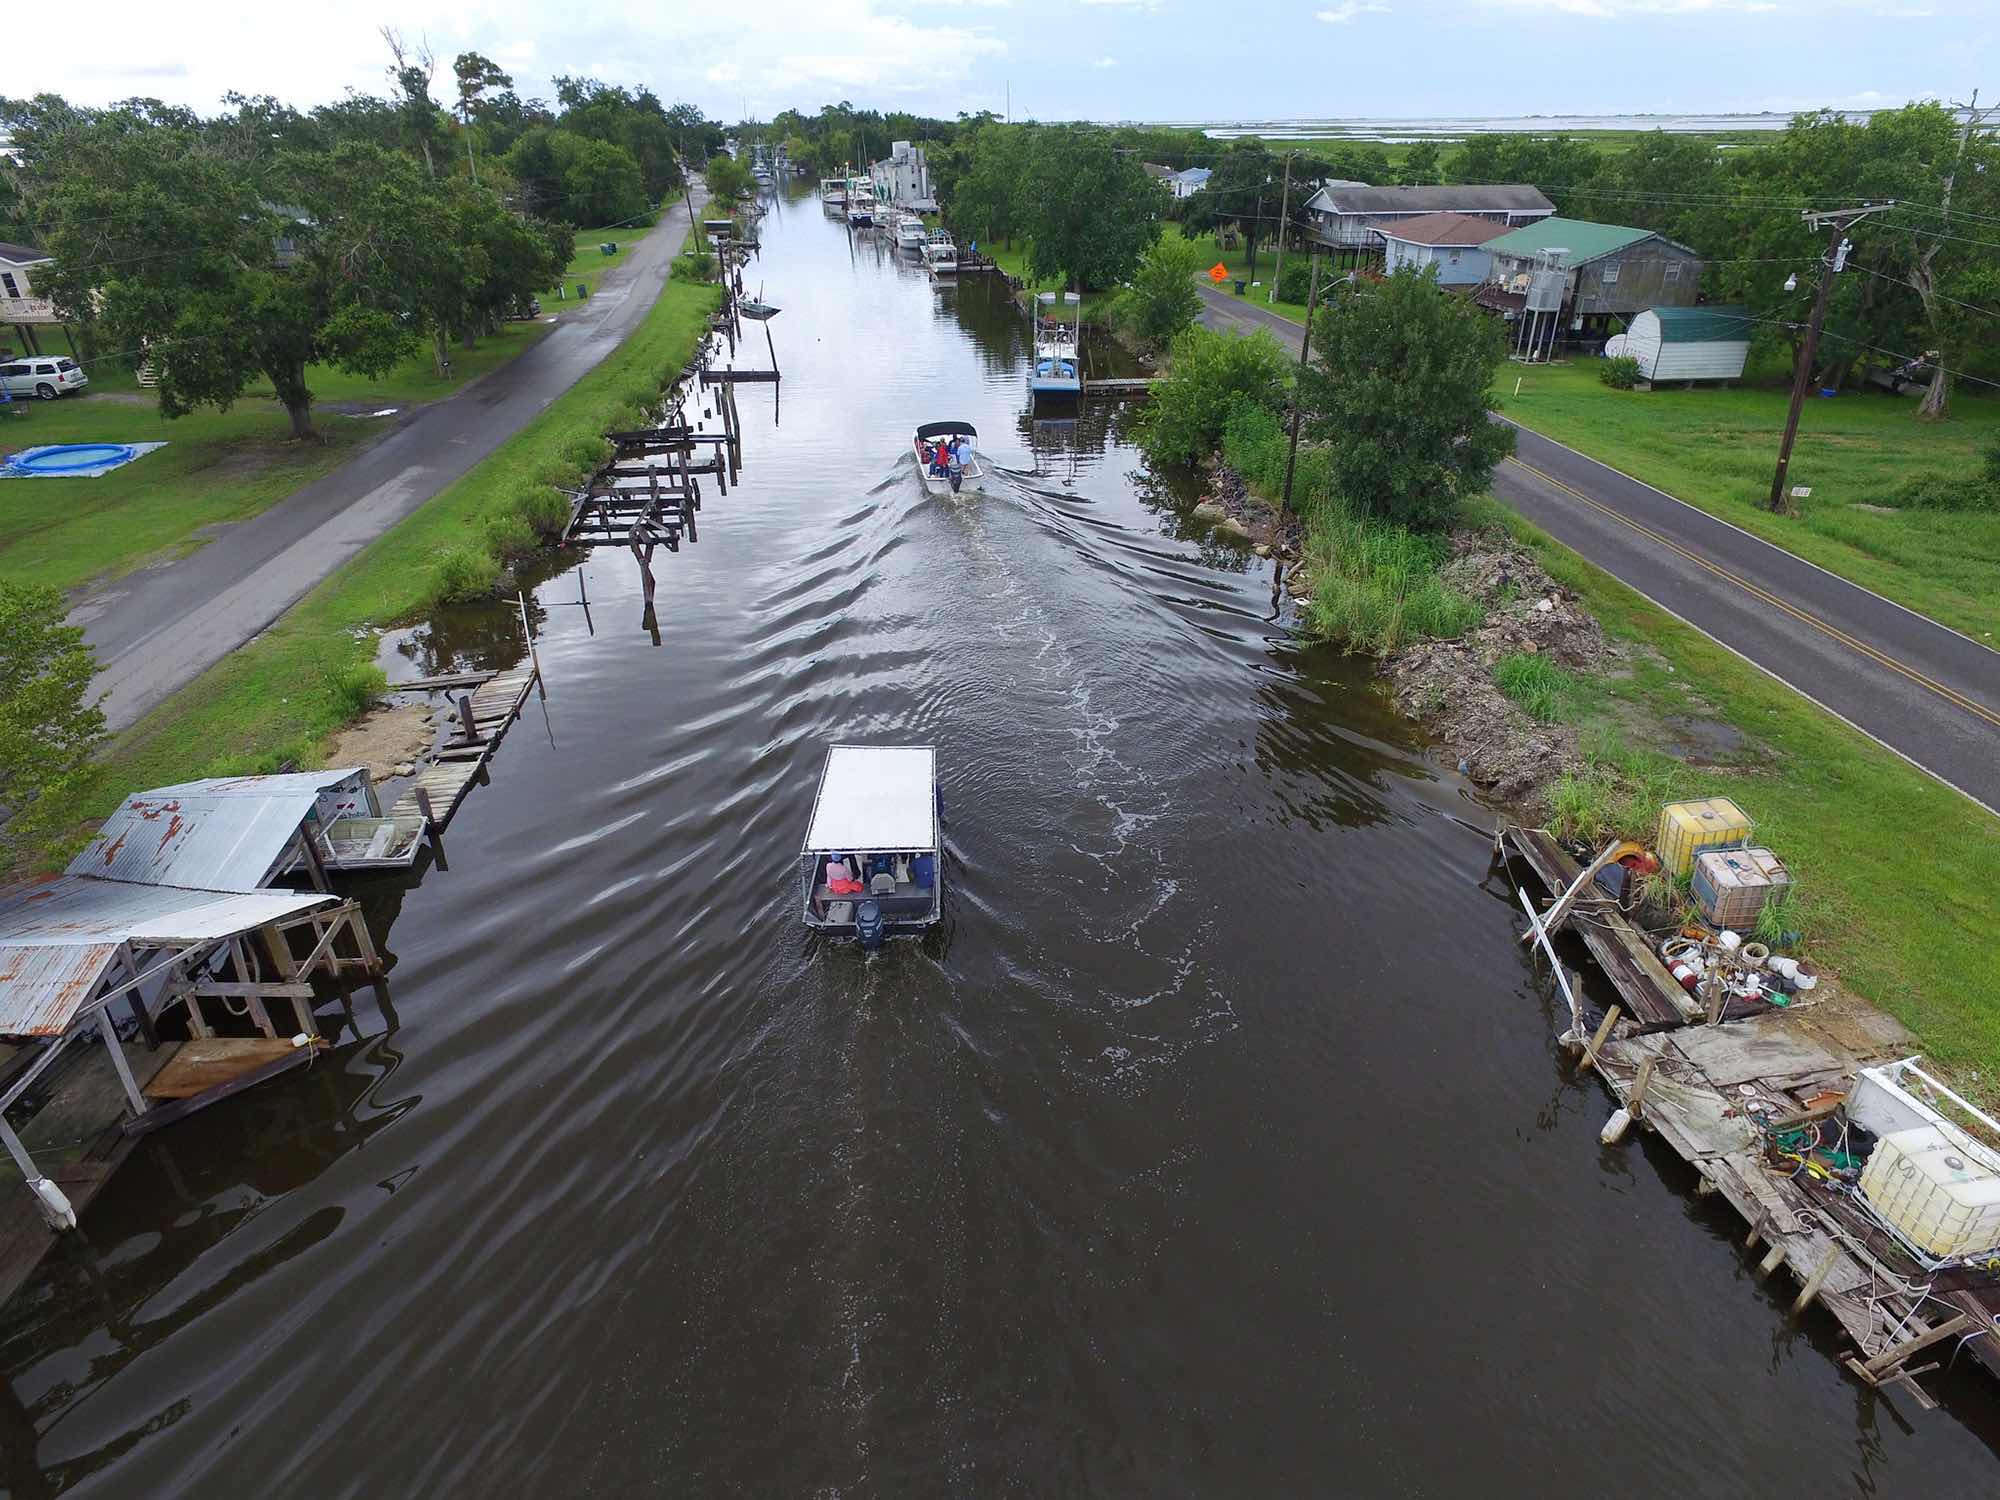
x: 871, y: 867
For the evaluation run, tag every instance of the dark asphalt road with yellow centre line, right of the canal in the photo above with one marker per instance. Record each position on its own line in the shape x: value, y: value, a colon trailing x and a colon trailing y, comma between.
x: 1927, y: 693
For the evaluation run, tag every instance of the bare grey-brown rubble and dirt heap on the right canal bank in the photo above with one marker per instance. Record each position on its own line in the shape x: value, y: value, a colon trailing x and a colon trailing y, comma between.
x: 1449, y: 685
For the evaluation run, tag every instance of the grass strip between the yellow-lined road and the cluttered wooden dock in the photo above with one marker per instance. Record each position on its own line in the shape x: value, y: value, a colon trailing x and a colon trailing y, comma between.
x: 1895, y: 871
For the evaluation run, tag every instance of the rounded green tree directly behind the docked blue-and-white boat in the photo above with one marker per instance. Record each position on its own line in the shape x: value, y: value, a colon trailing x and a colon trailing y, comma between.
x: 1087, y: 209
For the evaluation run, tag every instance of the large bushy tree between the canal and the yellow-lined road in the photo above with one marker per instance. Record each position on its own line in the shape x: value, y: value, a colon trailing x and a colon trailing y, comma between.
x: 1397, y: 391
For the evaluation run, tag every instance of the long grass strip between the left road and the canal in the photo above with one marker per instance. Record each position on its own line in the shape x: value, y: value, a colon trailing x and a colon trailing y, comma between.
x: 287, y: 691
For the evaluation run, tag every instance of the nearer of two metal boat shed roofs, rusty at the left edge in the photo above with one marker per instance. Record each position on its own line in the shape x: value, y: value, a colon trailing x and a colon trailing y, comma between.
x: 61, y: 933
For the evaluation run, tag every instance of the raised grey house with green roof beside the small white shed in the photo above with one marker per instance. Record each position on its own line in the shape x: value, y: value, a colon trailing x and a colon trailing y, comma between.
x: 1611, y: 271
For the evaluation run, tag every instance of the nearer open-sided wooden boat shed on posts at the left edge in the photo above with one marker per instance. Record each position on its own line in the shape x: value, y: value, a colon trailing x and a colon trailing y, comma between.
x: 131, y: 1003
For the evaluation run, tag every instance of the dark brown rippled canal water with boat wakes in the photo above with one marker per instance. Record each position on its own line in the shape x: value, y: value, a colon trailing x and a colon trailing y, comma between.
x: 1215, y: 1147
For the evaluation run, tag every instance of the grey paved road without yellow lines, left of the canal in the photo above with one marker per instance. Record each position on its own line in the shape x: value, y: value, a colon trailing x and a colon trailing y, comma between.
x: 159, y: 629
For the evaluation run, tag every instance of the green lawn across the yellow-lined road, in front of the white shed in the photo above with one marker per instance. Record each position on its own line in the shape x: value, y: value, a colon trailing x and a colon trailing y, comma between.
x: 1715, y: 449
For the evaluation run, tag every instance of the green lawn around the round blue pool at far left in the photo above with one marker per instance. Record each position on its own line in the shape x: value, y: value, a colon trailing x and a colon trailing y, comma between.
x: 217, y: 467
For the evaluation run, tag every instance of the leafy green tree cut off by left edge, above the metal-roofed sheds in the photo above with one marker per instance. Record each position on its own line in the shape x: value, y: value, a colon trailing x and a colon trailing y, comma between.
x: 47, y: 727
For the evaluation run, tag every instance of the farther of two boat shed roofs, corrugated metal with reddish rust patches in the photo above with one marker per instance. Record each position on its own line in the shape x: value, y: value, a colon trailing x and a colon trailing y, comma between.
x: 195, y: 839
